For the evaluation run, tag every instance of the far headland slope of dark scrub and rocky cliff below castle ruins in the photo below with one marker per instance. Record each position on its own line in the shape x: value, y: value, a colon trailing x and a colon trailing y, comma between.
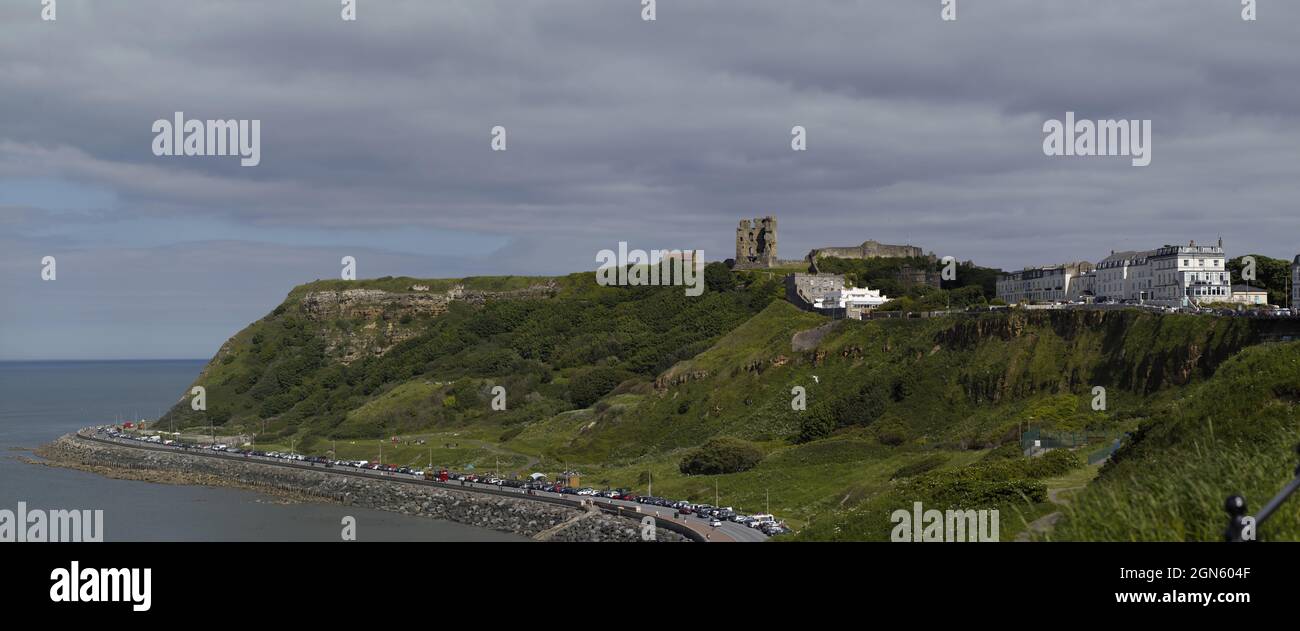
x: 280, y: 378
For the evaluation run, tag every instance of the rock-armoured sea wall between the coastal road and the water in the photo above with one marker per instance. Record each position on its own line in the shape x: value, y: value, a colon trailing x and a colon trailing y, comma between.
x: 530, y: 518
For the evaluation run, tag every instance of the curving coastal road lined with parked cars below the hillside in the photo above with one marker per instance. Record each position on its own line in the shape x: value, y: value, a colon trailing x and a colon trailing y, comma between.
x: 729, y: 531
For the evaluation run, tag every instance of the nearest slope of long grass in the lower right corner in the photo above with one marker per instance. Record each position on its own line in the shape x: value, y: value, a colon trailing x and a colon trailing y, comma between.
x: 1234, y: 434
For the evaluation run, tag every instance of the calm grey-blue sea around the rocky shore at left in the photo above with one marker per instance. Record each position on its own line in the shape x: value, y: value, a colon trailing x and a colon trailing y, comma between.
x: 40, y: 401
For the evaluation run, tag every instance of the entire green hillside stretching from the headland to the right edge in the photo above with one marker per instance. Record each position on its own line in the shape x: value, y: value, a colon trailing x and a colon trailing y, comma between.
x: 645, y: 386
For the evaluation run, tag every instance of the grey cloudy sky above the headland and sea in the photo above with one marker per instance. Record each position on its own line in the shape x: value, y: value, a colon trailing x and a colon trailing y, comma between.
x: 376, y: 142
